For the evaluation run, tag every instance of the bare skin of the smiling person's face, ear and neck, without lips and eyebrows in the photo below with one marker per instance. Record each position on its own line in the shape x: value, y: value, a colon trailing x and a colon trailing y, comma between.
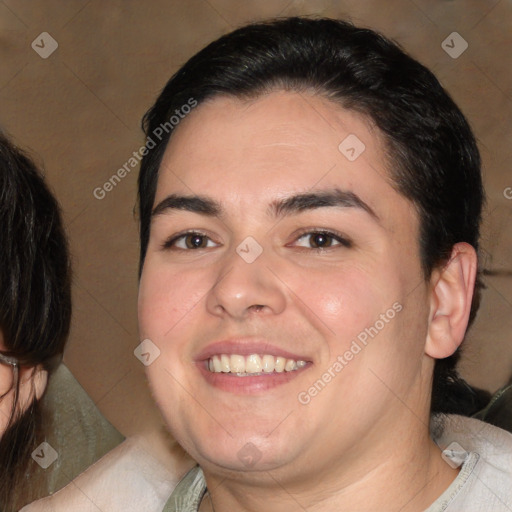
x: 362, y: 443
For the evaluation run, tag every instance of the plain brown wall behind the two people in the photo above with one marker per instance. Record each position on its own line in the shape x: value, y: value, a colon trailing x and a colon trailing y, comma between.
x: 78, y: 111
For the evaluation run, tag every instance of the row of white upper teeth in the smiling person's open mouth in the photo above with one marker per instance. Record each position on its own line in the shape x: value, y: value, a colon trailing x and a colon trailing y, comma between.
x: 253, y: 364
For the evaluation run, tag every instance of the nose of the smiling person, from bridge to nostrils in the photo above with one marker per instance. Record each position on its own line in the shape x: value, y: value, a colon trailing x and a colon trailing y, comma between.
x: 246, y: 282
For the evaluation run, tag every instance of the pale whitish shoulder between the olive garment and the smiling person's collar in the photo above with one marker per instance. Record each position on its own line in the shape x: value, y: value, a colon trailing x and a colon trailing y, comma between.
x: 128, y: 478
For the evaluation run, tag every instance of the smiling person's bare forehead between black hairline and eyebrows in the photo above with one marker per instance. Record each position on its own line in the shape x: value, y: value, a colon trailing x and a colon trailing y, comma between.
x: 248, y: 153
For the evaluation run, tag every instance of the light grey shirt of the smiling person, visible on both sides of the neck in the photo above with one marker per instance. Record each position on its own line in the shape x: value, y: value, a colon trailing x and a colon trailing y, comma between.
x: 484, y: 483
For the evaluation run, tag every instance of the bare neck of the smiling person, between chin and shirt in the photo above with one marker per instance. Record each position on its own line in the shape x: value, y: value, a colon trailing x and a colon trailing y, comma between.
x: 406, y: 474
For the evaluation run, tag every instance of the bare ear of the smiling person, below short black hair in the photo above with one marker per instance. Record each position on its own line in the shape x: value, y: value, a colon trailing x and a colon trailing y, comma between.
x: 450, y: 301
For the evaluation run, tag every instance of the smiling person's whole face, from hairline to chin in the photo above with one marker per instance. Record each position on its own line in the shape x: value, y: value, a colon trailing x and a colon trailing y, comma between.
x: 328, y: 284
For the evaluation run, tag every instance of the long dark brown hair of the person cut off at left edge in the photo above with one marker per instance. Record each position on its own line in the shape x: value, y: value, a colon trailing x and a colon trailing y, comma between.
x: 35, y: 303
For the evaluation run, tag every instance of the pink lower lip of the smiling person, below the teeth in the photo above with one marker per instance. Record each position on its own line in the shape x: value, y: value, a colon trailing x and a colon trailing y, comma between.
x: 247, y: 385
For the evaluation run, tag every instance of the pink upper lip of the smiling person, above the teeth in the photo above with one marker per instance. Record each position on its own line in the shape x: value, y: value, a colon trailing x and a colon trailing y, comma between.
x: 246, y: 347
